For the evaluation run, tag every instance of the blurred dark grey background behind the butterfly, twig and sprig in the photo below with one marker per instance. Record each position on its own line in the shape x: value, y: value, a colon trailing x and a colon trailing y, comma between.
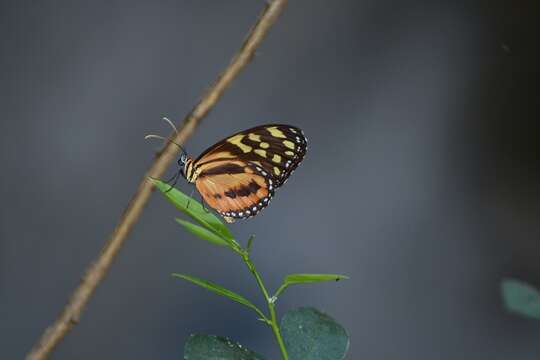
x: 421, y: 182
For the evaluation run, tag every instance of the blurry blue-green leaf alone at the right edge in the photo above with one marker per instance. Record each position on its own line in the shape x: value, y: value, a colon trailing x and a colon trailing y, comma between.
x: 521, y: 298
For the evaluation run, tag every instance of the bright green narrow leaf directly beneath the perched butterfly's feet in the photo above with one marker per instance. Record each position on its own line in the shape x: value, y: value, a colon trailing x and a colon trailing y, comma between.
x: 194, y: 210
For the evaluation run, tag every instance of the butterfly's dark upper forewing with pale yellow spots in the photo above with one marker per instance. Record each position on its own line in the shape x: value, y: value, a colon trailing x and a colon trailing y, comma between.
x: 276, y: 148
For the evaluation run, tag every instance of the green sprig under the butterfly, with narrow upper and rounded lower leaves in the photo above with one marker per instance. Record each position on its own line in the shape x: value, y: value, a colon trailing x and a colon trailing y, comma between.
x: 331, y: 339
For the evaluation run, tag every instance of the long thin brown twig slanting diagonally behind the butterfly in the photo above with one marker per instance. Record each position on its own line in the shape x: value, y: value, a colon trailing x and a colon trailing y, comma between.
x: 73, y: 309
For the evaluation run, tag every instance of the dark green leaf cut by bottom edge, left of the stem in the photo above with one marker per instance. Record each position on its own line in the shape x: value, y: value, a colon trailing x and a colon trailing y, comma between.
x: 208, y: 347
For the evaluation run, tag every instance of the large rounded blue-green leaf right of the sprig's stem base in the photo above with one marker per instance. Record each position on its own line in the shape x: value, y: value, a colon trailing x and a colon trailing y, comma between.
x: 311, y: 335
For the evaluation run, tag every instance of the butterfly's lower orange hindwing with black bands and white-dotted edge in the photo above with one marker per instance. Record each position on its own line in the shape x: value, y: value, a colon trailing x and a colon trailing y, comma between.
x: 236, y: 190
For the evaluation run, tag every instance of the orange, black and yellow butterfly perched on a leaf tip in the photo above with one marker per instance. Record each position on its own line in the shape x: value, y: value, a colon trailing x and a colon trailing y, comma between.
x: 238, y: 176
